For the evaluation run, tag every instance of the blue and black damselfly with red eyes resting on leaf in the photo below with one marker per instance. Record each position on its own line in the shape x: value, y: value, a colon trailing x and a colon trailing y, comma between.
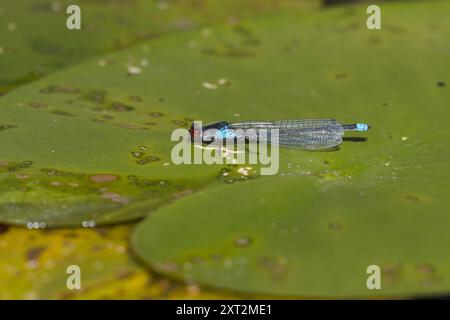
x: 308, y: 134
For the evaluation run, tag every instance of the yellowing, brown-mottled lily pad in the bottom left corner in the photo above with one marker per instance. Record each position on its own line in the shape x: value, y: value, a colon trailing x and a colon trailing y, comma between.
x: 34, y: 266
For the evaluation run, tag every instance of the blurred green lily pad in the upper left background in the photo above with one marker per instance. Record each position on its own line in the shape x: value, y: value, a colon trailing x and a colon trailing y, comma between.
x: 35, y: 40
